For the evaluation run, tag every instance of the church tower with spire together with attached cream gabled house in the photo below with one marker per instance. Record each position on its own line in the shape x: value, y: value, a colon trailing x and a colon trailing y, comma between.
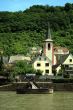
x: 44, y: 61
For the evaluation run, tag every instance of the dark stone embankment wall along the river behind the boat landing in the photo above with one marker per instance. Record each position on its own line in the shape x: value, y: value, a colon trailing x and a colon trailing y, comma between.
x: 55, y: 86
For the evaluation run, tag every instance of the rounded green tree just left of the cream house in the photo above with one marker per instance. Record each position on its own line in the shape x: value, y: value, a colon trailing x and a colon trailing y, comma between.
x: 22, y: 68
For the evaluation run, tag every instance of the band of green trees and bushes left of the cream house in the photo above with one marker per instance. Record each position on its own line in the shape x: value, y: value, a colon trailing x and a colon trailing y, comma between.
x: 20, y: 68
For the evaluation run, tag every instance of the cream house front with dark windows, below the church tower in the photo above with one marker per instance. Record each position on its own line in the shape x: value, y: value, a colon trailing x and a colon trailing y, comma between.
x: 44, y: 65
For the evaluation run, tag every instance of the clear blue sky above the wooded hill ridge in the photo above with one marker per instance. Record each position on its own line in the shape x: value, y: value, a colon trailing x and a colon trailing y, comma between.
x: 17, y: 5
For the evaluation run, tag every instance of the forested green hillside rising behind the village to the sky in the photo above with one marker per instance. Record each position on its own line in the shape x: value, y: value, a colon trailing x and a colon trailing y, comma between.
x: 19, y: 31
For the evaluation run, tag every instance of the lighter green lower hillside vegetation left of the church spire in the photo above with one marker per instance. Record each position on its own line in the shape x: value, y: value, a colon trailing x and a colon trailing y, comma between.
x: 19, y: 43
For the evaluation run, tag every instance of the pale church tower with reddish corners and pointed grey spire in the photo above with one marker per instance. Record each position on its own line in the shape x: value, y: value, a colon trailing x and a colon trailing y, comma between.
x: 48, y: 46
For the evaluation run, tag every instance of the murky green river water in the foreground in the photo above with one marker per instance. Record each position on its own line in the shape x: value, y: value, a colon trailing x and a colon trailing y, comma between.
x: 55, y: 101
